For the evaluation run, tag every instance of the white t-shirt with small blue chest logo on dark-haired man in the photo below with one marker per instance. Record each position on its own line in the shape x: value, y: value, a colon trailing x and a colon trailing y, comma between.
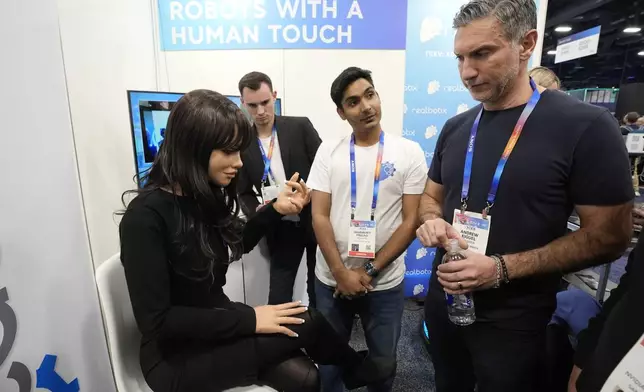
x: 403, y: 171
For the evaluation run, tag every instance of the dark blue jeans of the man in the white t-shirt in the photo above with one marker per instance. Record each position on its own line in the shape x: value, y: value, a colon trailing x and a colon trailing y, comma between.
x: 381, y: 314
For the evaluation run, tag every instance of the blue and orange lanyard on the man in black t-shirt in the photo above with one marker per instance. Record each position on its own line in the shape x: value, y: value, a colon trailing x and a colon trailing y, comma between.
x: 518, y: 128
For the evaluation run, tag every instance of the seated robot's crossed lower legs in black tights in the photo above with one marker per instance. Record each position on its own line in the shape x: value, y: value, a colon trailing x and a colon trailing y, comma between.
x: 282, y: 363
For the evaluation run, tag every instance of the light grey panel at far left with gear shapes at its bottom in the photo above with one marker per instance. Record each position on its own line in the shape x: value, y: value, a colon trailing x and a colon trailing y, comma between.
x: 48, y: 299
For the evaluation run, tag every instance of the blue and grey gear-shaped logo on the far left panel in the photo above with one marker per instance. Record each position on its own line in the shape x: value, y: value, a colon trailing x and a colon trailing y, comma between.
x: 46, y: 376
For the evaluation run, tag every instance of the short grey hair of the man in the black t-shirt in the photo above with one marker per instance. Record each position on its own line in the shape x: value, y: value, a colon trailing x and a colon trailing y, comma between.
x: 516, y: 16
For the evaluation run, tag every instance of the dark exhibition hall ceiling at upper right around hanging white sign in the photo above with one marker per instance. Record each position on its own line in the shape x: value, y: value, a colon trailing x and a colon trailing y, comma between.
x: 617, y: 60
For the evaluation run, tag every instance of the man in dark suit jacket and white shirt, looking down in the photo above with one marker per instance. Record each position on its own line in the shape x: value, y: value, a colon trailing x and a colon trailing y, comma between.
x: 288, y: 145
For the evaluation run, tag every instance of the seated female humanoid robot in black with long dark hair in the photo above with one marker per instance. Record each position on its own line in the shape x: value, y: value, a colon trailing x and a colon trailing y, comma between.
x: 178, y: 237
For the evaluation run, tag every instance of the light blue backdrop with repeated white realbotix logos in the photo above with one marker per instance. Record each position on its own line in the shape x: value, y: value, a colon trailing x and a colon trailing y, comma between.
x: 433, y: 94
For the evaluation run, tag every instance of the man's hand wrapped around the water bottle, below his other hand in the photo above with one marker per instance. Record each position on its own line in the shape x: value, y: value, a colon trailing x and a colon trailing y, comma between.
x: 476, y: 272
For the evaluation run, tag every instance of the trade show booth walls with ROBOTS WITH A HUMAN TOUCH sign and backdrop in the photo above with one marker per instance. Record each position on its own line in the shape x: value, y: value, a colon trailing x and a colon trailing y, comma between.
x: 114, y: 70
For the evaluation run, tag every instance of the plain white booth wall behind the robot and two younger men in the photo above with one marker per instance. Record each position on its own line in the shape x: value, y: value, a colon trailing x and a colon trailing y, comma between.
x: 111, y: 46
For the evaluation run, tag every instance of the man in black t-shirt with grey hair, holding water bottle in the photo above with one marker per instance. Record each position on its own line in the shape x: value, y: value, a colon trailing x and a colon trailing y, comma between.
x: 567, y: 155
